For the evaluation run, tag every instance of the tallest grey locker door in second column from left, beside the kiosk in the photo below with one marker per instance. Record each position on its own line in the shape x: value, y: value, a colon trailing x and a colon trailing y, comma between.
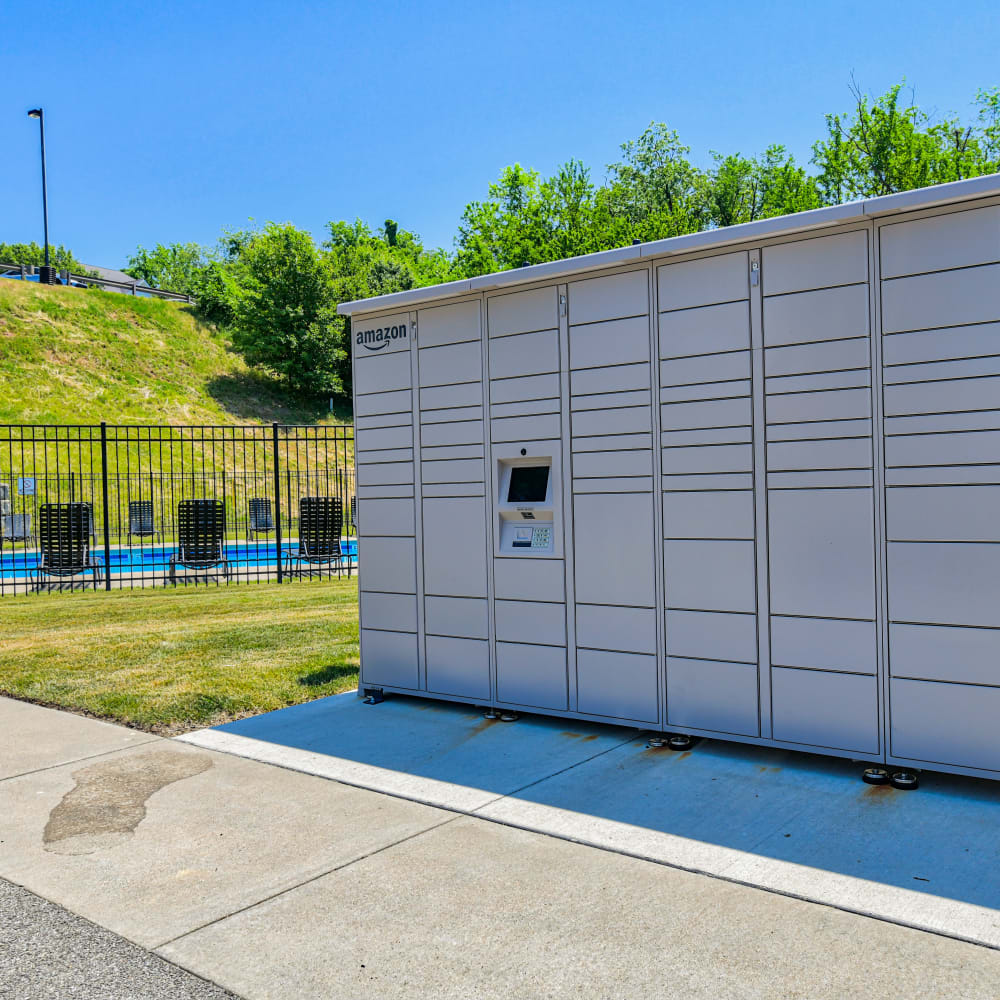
x: 451, y: 526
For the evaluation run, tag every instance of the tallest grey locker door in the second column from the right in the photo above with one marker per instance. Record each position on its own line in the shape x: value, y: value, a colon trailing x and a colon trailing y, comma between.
x: 822, y: 553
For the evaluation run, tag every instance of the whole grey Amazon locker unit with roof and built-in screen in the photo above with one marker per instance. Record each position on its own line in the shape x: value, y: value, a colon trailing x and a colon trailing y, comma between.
x: 742, y: 484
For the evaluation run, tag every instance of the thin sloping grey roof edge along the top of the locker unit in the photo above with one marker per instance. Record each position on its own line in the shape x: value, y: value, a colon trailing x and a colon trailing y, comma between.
x: 856, y: 211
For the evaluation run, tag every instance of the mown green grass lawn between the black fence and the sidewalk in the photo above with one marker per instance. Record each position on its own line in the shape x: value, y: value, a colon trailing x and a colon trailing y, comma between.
x: 168, y: 661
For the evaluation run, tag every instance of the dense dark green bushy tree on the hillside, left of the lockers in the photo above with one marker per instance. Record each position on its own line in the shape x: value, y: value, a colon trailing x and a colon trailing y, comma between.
x: 284, y: 321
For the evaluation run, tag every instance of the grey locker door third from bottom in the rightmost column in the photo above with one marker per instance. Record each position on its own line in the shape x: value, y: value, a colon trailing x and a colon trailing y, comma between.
x: 945, y: 583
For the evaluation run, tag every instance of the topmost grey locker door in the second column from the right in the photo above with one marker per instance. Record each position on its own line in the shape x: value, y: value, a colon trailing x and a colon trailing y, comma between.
x: 820, y: 262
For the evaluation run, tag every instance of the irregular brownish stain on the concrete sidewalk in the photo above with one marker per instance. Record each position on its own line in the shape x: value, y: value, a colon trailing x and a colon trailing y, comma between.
x: 109, y: 799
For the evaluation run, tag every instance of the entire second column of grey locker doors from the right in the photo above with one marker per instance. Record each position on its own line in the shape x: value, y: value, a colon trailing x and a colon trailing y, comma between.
x: 820, y: 493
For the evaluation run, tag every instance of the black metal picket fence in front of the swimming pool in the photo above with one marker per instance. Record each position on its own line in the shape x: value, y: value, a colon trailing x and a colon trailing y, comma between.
x: 111, y: 507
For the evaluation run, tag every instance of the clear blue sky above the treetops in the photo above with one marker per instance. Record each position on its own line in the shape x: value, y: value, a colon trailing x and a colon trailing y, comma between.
x: 166, y: 122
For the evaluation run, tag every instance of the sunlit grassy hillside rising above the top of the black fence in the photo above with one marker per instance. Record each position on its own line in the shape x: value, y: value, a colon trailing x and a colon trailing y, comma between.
x: 69, y: 356
